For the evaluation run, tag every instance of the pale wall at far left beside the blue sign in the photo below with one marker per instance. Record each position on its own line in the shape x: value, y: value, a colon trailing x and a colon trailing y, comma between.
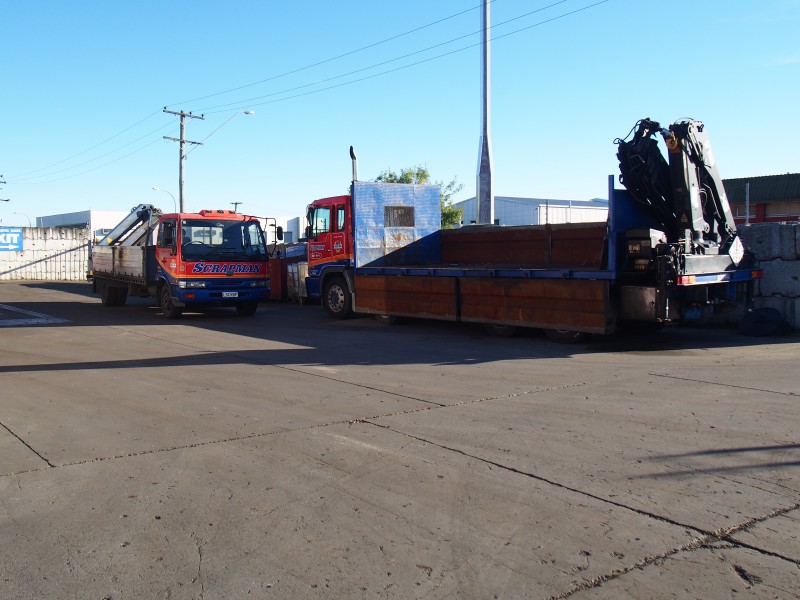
x: 48, y: 253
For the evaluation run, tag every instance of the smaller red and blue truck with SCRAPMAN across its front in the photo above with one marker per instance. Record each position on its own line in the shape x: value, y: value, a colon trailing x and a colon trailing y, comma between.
x: 184, y: 260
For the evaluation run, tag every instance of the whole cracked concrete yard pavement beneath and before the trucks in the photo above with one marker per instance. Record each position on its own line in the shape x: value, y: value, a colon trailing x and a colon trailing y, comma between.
x: 291, y: 456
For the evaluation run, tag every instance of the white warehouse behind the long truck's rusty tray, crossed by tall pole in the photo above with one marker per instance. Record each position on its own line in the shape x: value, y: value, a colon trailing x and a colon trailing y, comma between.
x: 510, y: 210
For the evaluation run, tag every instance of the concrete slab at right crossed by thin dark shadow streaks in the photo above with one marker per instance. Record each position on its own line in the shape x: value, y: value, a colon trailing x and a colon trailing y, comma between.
x: 671, y: 458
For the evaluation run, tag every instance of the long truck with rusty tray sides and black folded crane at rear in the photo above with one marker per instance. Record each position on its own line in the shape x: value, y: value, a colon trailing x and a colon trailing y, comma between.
x: 669, y: 251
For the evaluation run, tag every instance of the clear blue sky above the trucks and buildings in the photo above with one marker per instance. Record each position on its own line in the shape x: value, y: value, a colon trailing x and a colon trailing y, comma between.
x: 84, y: 84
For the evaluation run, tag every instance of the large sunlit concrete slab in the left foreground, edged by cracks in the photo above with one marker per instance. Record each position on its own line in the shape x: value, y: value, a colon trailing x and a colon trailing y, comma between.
x: 348, y: 510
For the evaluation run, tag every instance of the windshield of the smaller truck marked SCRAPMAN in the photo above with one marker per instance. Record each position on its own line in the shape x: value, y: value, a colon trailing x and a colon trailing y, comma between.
x: 222, y: 240
